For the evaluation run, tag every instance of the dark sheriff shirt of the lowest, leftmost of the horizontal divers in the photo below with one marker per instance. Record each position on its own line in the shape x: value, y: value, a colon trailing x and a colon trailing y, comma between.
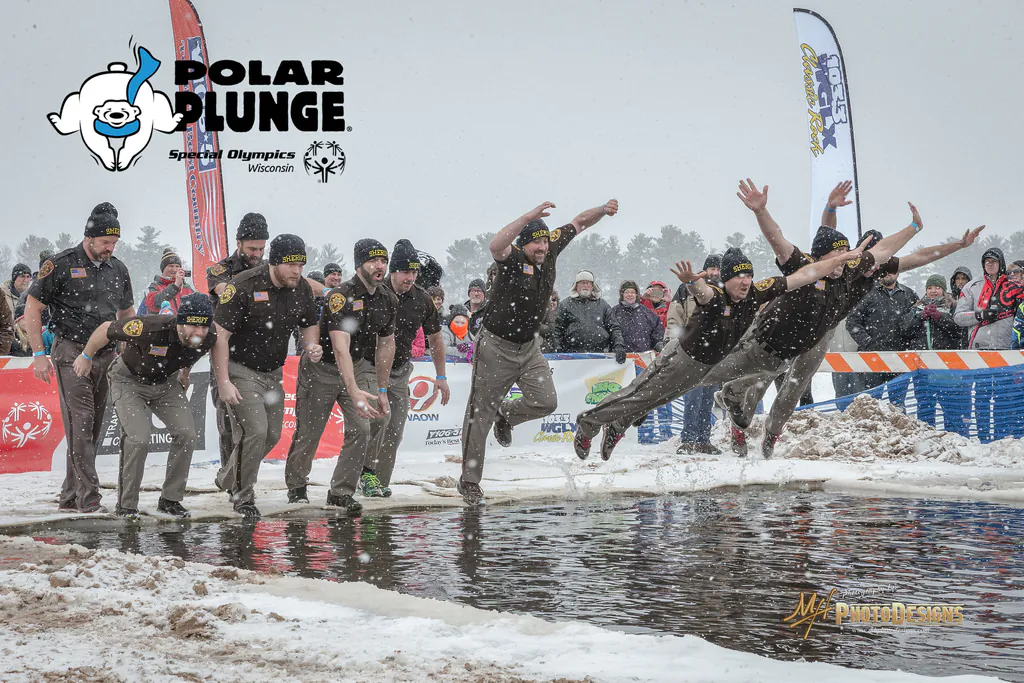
x: 717, y: 326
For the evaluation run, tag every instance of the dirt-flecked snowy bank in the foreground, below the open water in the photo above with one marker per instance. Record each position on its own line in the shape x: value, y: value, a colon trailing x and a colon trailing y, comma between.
x: 71, y: 614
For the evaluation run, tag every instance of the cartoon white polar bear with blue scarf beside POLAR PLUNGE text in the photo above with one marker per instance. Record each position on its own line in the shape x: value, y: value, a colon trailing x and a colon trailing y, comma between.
x: 117, y: 112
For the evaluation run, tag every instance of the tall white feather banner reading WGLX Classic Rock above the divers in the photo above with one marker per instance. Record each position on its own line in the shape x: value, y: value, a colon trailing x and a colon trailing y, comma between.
x: 830, y: 123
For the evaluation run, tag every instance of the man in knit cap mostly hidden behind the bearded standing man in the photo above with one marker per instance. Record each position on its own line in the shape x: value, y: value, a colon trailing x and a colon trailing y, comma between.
x: 250, y: 243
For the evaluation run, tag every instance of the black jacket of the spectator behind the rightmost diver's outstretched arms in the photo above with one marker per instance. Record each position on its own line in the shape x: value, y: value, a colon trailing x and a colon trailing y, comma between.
x: 879, y: 323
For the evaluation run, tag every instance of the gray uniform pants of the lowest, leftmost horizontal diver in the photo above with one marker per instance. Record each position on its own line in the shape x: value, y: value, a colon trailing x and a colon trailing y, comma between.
x: 670, y: 376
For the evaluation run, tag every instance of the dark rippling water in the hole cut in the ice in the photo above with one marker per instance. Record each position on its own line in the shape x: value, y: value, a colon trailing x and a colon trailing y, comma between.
x: 728, y: 567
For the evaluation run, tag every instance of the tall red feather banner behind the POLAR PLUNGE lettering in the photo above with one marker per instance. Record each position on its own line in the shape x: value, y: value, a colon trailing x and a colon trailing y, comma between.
x: 204, y: 184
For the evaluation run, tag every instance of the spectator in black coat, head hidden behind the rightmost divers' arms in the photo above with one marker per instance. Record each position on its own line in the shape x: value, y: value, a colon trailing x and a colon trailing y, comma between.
x: 876, y: 325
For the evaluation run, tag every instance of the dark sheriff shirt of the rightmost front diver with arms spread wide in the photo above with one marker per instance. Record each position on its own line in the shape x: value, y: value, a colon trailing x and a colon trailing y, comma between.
x: 795, y: 323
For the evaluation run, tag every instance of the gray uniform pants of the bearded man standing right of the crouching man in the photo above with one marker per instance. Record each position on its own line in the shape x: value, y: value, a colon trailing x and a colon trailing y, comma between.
x: 255, y: 430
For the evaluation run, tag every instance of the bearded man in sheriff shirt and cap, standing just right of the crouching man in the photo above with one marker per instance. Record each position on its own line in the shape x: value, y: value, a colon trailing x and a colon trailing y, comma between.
x: 255, y: 318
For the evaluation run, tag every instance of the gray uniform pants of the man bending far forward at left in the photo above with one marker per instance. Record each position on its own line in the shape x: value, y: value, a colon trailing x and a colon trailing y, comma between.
x: 135, y: 402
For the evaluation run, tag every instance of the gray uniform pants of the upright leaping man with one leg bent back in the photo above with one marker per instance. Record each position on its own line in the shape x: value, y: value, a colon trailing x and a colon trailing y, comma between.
x: 498, y: 364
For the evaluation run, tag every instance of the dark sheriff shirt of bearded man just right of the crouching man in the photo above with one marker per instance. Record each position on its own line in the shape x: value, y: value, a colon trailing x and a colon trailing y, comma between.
x: 262, y: 317
